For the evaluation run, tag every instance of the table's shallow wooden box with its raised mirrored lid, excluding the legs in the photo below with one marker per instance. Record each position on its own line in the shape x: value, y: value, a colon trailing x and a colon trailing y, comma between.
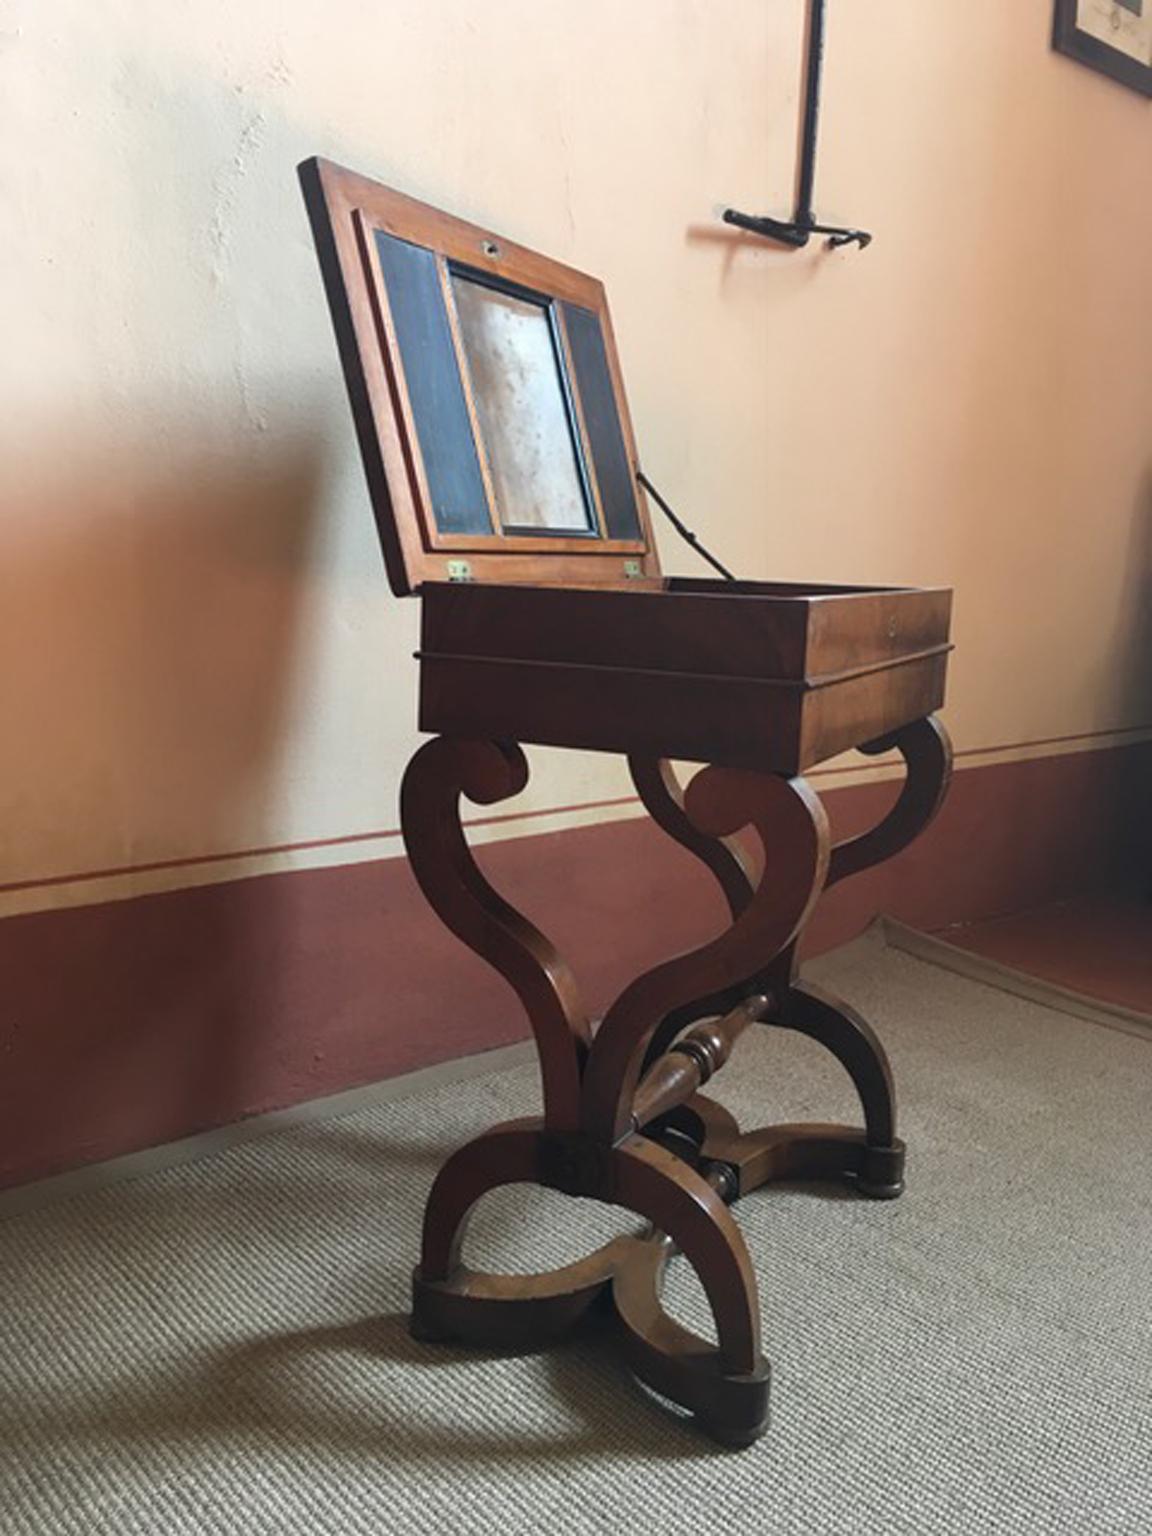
x: 500, y: 454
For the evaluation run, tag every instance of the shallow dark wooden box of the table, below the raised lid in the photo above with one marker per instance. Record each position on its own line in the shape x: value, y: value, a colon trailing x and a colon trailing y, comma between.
x: 753, y: 675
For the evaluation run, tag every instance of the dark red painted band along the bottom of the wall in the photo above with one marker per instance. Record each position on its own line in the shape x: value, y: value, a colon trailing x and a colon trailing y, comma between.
x: 139, y: 1022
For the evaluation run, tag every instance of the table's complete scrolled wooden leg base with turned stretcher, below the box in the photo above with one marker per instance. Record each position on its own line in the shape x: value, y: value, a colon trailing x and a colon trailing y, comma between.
x: 589, y: 1144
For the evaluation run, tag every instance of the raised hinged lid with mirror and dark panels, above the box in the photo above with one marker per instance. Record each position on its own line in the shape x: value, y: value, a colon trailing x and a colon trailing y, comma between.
x: 488, y: 397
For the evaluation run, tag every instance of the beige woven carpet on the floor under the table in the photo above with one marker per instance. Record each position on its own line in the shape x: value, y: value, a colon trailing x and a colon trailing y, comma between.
x: 222, y: 1348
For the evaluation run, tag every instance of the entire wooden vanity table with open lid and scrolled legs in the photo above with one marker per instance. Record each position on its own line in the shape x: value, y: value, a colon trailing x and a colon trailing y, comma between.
x: 495, y: 435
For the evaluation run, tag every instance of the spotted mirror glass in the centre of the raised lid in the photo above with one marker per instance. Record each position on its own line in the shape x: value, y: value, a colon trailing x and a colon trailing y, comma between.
x: 523, y: 411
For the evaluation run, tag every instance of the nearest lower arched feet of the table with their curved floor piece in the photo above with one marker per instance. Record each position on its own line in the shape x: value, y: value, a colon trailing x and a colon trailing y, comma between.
x: 726, y: 1385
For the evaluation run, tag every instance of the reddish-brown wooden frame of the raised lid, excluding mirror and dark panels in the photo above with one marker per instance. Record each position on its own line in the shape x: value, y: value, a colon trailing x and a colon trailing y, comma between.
x: 346, y: 213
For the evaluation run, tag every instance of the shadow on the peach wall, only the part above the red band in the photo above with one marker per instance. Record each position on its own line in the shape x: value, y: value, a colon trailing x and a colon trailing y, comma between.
x: 150, y: 618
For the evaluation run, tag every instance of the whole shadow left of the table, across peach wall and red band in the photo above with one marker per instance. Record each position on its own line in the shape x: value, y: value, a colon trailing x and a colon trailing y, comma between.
x: 150, y: 626
